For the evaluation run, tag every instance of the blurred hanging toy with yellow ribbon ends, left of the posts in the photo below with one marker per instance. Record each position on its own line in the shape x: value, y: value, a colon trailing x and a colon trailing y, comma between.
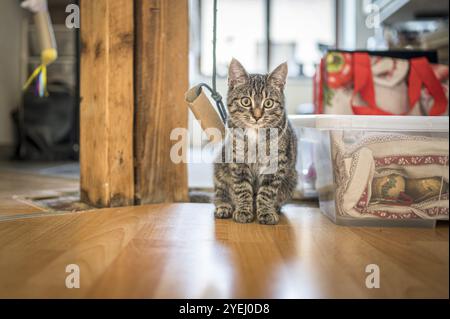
x: 47, y: 44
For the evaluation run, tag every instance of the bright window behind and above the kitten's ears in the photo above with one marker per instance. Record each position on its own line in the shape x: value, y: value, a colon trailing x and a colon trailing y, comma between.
x: 263, y: 33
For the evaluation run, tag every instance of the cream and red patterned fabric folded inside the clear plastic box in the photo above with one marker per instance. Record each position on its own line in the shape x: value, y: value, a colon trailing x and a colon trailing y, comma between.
x: 363, y: 158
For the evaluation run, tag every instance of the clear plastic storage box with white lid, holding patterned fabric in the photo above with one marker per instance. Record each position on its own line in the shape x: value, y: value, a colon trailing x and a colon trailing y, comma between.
x: 382, y: 170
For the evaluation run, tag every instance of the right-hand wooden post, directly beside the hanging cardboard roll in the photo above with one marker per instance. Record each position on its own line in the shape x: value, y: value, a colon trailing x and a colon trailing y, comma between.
x: 161, y: 79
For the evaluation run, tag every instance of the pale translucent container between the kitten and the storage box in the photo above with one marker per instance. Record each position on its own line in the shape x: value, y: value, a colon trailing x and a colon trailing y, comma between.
x: 305, y: 156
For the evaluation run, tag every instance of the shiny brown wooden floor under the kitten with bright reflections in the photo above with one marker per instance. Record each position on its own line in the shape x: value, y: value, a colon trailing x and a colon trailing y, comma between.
x: 180, y: 251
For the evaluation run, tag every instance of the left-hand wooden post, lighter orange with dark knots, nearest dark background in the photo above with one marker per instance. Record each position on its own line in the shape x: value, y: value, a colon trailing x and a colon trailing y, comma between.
x: 107, y: 102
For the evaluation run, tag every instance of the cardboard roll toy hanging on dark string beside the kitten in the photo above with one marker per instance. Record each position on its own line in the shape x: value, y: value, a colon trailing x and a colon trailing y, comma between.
x: 199, y: 103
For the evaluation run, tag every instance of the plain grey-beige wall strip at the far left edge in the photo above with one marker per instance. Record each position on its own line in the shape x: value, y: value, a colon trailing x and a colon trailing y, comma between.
x: 10, y: 87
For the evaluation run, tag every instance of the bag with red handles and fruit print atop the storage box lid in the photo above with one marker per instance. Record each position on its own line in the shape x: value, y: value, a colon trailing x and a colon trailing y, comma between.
x: 360, y: 84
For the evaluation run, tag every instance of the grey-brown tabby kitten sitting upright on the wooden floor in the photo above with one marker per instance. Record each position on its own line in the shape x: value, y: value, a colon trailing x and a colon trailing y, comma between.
x: 244, y: 189
